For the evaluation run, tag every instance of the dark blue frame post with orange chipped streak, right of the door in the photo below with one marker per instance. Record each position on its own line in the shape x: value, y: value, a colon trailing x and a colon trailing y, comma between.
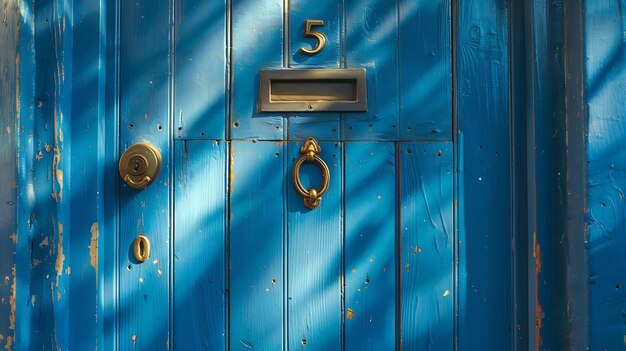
x: 548, y: 297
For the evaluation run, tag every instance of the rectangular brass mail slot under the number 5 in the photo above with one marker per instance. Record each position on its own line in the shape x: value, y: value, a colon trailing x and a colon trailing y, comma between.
x: 313, y: 90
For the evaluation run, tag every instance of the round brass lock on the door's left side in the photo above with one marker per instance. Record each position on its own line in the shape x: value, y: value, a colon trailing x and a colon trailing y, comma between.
x: 140, y: 164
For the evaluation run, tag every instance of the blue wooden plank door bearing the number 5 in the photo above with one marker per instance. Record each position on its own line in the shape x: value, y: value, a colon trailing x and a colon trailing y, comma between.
x: 237, y: 261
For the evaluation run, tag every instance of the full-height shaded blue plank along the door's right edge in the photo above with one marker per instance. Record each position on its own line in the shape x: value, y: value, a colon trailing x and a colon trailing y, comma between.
x: 484, y: 242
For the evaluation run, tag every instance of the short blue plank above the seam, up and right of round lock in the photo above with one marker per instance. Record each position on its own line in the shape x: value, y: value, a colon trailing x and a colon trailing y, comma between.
x: 200, y: 69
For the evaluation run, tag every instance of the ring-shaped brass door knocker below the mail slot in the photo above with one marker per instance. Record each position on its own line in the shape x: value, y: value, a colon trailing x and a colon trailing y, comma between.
x: 310, y: 151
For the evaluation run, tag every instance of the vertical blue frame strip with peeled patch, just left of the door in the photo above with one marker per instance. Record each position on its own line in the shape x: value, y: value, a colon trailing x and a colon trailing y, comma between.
x: 87, y: 168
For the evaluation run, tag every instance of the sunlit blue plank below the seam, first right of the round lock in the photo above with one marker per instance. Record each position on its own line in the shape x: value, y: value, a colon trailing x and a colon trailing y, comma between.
x: 199, y: 260
